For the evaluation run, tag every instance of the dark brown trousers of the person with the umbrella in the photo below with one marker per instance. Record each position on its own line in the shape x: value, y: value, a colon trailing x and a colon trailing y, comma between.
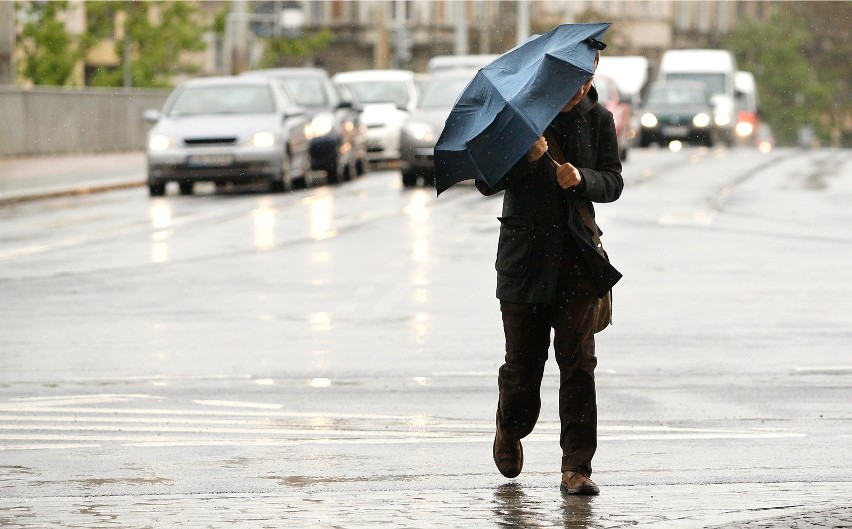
x: 527, y: 328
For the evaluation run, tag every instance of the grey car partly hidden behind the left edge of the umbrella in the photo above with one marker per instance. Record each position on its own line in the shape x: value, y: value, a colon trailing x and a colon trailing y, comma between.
x: 425, y: 122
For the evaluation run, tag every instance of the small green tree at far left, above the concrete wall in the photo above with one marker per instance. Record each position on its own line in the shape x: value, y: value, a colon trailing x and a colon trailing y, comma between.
x: 49, y: 51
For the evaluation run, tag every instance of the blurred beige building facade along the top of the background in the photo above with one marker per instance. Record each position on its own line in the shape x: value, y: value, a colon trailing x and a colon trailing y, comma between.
x: 406, y: 33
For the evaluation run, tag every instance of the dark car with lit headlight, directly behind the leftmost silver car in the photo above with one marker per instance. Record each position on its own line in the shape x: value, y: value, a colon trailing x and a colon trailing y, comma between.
x: 336, y: 135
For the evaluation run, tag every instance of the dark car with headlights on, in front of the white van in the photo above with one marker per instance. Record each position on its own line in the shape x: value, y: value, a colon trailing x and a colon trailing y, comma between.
x: 677, y: 110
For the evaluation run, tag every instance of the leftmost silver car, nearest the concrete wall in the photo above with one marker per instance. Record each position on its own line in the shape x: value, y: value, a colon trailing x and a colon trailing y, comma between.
x: 227, y: 129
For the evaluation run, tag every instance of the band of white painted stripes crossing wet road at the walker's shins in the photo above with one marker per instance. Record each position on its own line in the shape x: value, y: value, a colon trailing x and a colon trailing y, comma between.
x: 40, y: 426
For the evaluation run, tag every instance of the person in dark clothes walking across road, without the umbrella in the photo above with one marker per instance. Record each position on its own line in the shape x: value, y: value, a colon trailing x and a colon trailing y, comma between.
x: 552, y: 273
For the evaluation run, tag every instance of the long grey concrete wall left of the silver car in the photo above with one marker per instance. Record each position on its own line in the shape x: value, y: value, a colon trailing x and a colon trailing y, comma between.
x: 59, y: 121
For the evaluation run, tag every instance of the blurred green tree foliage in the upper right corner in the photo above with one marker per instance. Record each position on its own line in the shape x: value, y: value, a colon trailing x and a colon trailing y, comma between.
x: 800, y: 61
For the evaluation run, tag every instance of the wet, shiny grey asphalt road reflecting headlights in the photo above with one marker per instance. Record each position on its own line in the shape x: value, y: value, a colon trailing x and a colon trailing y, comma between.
x: 328, y: 357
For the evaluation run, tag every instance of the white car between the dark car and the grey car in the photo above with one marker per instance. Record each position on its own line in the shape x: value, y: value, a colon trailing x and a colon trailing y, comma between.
x: 385, y: 97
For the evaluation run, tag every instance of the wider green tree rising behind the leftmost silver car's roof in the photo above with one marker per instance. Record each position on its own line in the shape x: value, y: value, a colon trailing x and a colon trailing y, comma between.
x: 157, y: 33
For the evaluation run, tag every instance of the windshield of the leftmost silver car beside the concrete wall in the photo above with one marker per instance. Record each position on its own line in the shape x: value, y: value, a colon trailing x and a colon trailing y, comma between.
x: 223, y: 99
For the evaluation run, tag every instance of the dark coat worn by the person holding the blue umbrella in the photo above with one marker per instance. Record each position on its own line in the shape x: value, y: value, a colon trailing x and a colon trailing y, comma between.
x: 541, y: 223
